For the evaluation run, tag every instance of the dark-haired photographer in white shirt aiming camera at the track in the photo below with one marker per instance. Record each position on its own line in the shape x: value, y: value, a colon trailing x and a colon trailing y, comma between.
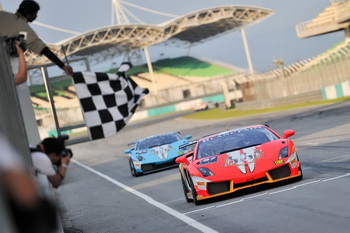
x: 51, y: 158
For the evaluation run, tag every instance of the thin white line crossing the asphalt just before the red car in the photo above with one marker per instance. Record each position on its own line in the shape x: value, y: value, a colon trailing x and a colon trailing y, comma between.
x: 268, y: 193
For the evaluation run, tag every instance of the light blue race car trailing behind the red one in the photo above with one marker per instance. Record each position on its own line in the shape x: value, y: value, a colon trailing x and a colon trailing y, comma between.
x: 156, y: 152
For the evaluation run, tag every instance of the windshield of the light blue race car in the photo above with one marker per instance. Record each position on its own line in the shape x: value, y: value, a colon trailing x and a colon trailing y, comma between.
x: 158, y: 140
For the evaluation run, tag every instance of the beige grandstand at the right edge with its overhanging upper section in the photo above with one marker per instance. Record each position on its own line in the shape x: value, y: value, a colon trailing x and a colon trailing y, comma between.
x: 313, y: 75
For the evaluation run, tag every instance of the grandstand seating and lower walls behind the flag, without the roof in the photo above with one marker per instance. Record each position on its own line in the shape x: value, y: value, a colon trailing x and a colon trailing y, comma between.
x: 183, y: 79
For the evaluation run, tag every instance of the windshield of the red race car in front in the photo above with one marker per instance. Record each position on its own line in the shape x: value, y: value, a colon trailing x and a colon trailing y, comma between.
x: 234, y: 140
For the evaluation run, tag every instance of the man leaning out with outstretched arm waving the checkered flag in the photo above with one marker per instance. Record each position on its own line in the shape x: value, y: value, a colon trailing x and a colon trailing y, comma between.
x: 12, y: 25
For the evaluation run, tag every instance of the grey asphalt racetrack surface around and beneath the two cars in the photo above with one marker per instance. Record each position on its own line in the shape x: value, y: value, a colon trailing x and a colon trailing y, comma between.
x: 100, y: 195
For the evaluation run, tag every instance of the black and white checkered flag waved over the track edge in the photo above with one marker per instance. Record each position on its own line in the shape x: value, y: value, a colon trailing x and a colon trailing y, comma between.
x: 108, y: 101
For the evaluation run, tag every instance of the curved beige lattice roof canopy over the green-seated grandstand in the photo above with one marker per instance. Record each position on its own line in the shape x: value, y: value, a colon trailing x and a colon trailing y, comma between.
x: 193, y: 28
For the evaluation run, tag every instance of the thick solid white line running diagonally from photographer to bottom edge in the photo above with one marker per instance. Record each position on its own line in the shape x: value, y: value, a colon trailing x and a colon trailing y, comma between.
x: 191, y: 222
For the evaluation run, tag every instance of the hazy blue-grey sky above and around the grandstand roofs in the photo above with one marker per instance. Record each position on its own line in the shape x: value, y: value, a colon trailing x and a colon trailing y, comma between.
x: 273, y: 38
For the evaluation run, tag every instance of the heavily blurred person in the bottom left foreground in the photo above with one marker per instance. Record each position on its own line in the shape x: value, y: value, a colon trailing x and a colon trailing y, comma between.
x: 28, y: 210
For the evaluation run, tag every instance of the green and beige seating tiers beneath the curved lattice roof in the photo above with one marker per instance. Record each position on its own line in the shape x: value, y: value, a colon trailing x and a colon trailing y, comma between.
x: 168, y: 73
